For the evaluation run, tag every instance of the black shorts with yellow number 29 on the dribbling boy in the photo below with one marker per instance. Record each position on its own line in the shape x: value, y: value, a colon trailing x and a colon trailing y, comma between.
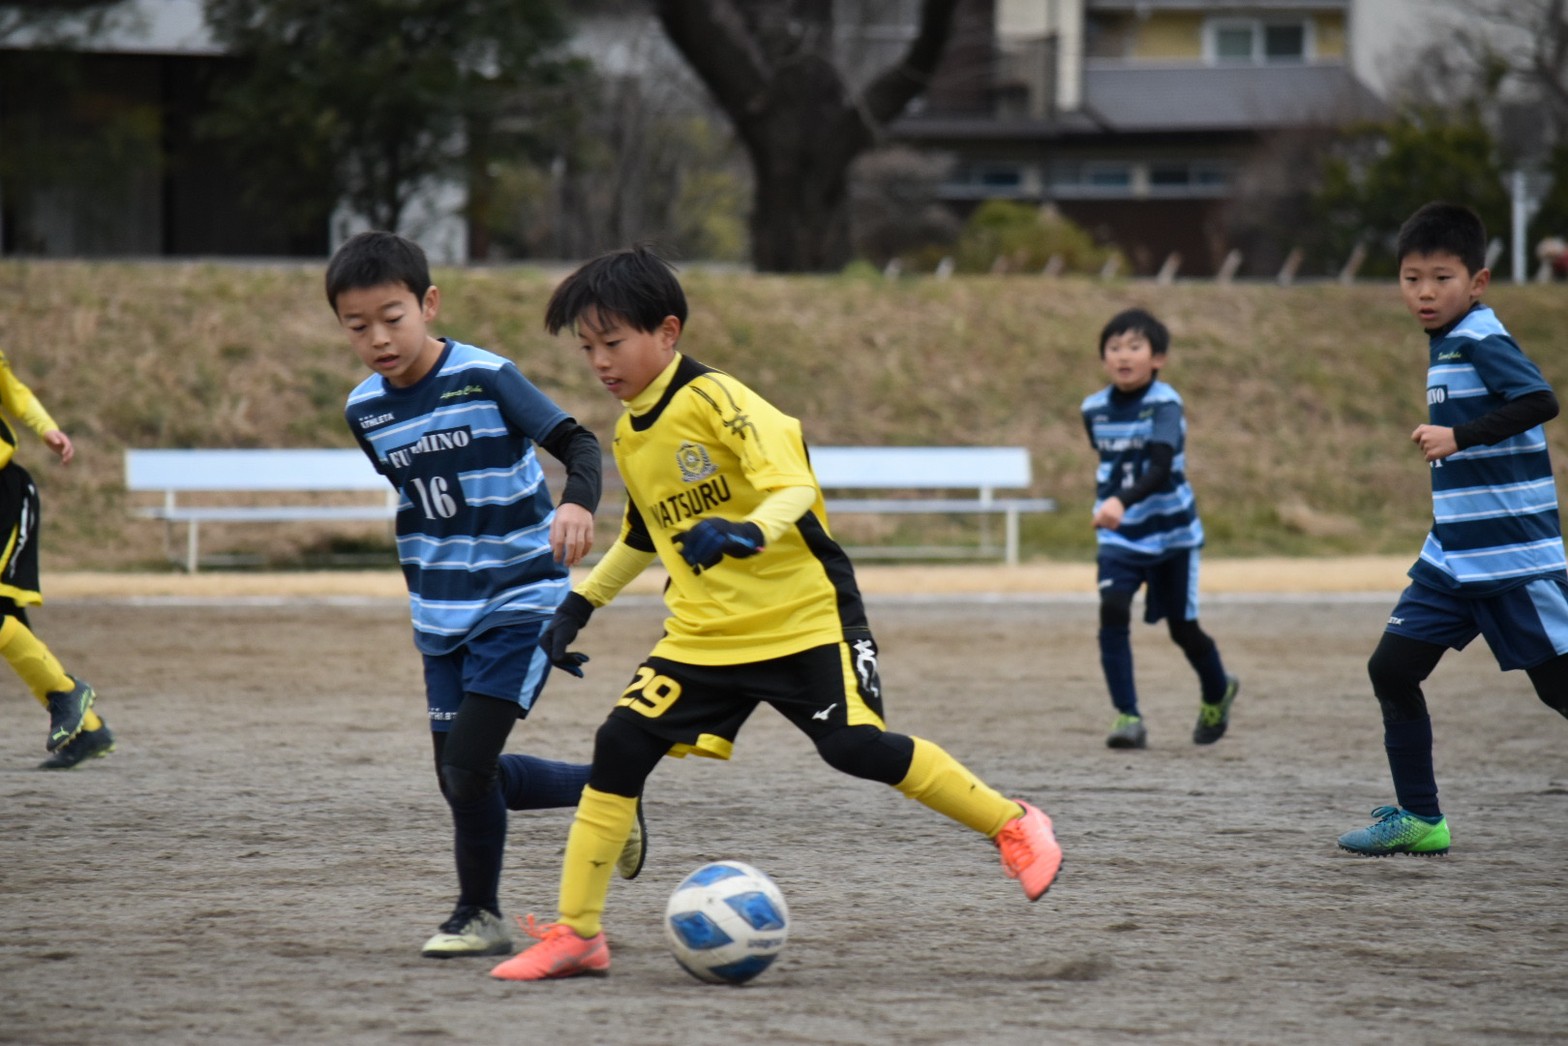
x: 702, y: 708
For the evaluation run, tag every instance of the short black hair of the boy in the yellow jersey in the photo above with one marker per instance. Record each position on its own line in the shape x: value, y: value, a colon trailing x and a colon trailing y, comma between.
x: 633, y: 285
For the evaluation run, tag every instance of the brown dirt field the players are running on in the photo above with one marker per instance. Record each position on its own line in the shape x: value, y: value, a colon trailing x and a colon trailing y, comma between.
x: 264, y: 854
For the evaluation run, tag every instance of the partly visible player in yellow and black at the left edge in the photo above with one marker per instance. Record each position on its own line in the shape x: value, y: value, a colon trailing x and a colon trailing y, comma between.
x: 76, y: 732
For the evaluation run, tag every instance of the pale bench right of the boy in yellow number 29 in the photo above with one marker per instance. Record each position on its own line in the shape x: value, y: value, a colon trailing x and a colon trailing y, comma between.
x: 927, y: 481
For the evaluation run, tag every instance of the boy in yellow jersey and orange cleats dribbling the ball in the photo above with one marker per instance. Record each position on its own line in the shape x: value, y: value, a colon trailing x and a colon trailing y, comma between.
x: 763, y: 606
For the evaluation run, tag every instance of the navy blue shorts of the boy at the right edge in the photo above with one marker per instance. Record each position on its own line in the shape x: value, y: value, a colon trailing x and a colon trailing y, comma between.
x: 1525, y: 627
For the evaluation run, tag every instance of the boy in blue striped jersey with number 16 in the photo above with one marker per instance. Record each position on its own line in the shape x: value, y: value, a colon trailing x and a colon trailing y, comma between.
x: 485, y: 553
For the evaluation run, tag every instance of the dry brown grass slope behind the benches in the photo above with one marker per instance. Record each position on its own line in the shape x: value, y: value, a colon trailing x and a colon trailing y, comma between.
x: 1301, y: 401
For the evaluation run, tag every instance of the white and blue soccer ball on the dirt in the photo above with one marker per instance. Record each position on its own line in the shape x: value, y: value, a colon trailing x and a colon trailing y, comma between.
x: 727, y: 923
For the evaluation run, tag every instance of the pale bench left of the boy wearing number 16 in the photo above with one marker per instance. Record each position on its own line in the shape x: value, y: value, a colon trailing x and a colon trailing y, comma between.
x: 195, y: 473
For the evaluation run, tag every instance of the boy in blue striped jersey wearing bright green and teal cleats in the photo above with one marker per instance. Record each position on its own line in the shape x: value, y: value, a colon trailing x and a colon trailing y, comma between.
x: 1494, y: 561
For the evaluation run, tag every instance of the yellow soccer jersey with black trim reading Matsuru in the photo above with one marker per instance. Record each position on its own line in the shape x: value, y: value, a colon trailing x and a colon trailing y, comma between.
x: 711, y: 448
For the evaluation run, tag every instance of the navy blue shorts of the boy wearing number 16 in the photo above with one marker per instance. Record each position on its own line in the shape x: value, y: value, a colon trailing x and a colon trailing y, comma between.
x: 504, y: 663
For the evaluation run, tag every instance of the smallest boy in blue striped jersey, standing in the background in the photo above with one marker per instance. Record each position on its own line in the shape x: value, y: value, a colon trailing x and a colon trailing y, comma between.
x: 1147, y: 526
